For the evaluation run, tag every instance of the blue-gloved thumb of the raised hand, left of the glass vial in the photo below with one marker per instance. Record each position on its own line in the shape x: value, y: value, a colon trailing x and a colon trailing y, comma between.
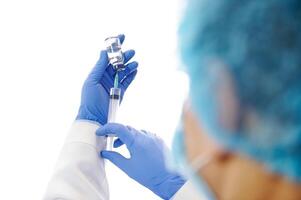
x: 99, y: 68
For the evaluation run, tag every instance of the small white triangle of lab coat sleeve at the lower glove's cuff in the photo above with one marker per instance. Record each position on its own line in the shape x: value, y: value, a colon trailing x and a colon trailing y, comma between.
x: 188, y: 191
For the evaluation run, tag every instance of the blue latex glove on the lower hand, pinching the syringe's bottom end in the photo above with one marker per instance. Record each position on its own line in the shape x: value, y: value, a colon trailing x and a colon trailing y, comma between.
x: 147, y: 164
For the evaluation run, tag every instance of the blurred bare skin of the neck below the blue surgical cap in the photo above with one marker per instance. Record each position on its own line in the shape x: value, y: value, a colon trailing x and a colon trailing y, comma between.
x: 239, y: 178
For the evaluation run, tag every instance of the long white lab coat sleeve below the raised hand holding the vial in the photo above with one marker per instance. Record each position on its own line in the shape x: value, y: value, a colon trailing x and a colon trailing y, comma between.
x: 79, y: 173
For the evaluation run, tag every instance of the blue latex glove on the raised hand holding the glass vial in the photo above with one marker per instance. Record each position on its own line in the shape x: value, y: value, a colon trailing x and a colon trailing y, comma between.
x: 96, y: 89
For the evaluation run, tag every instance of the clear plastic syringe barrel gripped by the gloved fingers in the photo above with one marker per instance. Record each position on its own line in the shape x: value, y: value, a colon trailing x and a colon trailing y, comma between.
x: 115, y: 97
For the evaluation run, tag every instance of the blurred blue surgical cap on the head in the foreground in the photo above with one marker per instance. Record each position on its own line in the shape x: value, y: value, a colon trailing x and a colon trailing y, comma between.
x: 259, y: 45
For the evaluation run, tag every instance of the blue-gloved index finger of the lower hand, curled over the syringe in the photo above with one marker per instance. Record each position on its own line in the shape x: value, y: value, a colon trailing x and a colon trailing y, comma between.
x: 121, y: 131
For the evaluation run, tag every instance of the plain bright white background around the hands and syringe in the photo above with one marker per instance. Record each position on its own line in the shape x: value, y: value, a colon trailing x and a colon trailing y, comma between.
x: 47, y: 49
